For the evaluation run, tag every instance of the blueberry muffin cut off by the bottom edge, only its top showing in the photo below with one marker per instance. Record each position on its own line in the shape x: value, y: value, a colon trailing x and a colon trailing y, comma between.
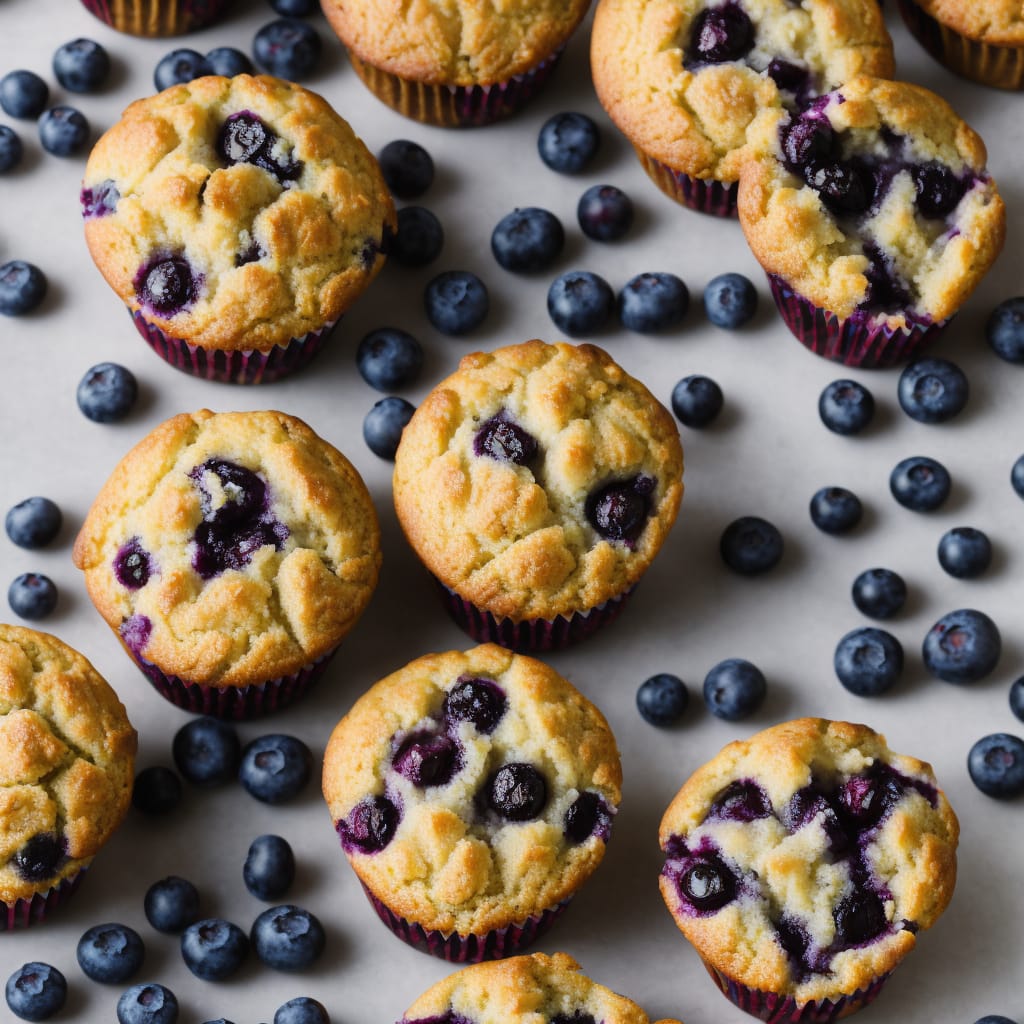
x: 534, y: 990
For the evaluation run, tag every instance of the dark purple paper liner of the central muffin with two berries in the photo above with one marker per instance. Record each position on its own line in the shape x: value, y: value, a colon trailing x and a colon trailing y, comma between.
x: 532, y: 634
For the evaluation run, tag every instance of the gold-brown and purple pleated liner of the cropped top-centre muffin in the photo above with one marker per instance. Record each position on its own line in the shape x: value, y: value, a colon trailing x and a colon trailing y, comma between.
x: 455, y: 106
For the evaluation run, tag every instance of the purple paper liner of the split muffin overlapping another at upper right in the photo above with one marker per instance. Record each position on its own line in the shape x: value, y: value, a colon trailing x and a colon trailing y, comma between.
x: 858, y: 342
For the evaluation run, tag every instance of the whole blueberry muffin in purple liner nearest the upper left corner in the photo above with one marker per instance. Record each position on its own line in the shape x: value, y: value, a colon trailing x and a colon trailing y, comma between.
x: 238, y: 220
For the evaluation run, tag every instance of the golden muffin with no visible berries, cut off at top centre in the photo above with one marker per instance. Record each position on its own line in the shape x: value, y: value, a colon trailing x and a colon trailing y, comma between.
x: 455, y: 65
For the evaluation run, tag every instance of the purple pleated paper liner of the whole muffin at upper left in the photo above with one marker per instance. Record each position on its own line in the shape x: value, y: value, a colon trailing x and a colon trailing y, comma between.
x: 237, y: 366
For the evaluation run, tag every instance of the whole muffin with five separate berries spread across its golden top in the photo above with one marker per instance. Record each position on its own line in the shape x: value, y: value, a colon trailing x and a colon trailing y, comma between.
x: 474, y: 794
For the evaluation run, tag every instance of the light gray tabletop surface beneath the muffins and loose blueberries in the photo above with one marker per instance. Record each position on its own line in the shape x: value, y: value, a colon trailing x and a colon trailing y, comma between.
x: 767, y: 455
